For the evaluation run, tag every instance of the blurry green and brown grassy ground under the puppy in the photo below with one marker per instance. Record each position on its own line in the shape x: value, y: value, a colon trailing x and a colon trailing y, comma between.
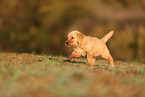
x: 28, y: 75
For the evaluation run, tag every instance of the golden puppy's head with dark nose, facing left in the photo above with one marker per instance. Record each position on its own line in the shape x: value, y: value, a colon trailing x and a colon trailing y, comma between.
x: 74, y: 39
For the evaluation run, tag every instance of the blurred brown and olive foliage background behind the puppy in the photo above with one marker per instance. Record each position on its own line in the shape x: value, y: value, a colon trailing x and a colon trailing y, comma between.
x: 41, y: 26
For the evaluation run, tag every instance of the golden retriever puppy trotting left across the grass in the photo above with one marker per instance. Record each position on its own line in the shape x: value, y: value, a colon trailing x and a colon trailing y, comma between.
x: 90, y: 46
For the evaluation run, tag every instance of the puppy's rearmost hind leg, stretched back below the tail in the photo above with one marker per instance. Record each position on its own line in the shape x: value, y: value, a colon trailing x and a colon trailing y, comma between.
x: 106, y: 55
